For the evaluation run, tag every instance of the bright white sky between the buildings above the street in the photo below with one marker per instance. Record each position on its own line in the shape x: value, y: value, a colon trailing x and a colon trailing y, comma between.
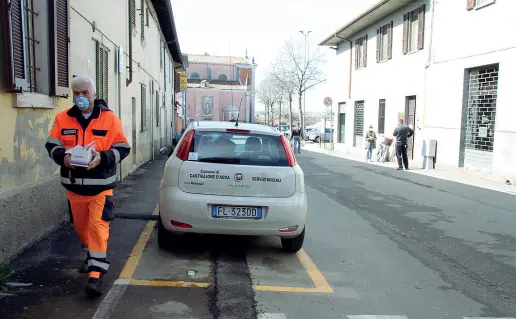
x: 230, y: 27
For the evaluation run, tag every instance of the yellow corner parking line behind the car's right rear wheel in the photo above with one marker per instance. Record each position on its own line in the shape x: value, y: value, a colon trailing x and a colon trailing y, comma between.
x: 321, y: 285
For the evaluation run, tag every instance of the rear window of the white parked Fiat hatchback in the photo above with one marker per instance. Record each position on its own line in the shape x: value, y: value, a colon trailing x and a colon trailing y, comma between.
x: 237, y: 148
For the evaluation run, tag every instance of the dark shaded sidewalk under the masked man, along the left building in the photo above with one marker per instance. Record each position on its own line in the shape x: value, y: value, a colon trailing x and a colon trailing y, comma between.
x: 45, y: 282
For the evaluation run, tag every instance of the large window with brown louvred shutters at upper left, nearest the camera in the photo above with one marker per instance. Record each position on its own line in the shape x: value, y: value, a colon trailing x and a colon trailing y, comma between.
x: 36, y: 46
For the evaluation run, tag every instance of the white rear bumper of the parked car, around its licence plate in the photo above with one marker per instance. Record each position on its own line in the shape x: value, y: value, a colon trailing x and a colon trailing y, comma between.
x: 195, y: 210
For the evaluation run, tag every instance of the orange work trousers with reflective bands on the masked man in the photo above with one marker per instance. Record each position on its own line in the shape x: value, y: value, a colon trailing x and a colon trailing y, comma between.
x: 89, y: 221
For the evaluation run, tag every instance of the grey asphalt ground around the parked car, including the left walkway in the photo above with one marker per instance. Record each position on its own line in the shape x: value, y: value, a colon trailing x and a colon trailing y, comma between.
x: 380, y: 242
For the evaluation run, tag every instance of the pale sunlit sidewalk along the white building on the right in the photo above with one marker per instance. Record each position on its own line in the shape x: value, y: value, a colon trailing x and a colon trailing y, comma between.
x: 451, y: 174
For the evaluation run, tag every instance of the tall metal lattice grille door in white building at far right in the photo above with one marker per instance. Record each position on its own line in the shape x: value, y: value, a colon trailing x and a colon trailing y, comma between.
x: 480, y: 118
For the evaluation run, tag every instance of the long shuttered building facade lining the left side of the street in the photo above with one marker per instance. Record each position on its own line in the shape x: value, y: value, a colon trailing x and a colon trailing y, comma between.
x: 132, y: 52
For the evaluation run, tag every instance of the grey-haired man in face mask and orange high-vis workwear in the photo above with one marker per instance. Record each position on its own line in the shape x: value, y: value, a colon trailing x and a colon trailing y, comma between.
x: 89, y: 188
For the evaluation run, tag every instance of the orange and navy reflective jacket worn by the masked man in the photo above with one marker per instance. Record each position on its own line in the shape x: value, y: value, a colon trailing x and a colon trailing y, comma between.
x: 103, y: 127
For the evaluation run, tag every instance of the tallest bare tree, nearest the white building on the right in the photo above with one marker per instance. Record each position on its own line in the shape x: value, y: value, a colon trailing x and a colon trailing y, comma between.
x: 303, y: 73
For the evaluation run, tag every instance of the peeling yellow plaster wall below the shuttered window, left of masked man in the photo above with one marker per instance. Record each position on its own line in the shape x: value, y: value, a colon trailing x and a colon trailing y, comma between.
x: 23, y: 133
